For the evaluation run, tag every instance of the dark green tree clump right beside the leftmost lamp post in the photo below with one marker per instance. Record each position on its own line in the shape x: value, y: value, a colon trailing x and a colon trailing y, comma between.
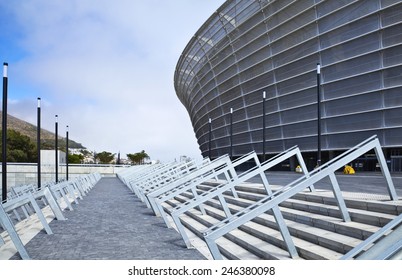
x: 20, y: 148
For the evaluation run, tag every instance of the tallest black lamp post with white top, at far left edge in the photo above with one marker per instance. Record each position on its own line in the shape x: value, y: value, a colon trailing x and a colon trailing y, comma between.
x: 4, y: 136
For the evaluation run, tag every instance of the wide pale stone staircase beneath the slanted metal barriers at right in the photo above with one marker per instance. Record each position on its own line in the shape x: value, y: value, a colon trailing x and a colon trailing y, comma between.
x: 313, y: 219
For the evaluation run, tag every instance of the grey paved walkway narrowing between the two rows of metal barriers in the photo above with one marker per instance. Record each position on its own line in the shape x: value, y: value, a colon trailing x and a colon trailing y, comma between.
x: 110, y: 223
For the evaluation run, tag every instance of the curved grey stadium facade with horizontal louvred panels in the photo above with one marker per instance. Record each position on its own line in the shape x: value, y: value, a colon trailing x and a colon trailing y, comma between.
x: 247, y: 47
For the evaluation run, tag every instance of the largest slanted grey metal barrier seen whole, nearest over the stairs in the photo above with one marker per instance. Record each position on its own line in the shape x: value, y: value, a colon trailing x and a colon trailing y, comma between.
x: 272, y: 201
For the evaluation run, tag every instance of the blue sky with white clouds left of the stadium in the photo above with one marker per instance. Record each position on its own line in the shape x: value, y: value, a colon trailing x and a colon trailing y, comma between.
x: 105, y: 68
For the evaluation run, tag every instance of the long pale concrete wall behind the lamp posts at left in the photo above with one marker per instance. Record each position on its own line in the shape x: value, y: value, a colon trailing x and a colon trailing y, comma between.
x: 24, y: 174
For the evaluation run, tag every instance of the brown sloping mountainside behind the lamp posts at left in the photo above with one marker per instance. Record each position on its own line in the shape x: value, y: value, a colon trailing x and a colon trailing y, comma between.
x: 30, y: 130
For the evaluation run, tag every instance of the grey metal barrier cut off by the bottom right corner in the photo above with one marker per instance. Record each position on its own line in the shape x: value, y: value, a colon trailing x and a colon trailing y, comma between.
x: 382, y: 245
